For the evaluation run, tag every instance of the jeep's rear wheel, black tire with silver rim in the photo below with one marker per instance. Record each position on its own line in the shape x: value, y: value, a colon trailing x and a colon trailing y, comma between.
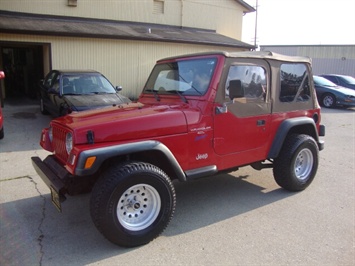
x: 297, y: 163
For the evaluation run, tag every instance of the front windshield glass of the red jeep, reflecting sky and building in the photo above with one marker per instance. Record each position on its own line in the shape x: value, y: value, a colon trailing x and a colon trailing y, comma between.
x: 187, y: 77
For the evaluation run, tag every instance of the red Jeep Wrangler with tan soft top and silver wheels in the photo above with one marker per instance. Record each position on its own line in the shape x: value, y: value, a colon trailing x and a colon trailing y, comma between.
x: 197, y: 115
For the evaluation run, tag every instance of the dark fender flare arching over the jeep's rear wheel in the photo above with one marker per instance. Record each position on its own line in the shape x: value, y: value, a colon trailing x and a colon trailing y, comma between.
x: 285, y: 127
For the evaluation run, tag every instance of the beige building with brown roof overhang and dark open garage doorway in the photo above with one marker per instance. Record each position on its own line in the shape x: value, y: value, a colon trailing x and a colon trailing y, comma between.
x: 121, y: 39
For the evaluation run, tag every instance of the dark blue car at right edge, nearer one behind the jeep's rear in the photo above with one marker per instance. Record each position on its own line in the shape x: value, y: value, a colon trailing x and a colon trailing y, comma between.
x: 330, y: 95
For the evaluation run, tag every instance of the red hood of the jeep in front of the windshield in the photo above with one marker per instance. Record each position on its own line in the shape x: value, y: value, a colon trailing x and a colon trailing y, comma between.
x: 125, y: 122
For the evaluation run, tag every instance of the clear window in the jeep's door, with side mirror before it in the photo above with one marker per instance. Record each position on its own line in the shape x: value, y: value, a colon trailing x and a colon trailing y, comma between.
x: 252, y: 80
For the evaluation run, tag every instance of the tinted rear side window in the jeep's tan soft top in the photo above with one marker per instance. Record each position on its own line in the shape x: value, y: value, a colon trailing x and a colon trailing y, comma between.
x: 294, y: 83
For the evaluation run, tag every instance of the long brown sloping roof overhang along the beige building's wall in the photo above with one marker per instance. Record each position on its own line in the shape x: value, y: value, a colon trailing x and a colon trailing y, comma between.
x: 32, y: 24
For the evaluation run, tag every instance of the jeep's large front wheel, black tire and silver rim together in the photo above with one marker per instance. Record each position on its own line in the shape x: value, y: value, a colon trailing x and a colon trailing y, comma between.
x: 132, y: 203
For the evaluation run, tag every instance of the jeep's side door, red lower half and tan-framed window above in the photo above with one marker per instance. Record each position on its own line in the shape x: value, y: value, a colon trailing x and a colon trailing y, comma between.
x: 242, y: 130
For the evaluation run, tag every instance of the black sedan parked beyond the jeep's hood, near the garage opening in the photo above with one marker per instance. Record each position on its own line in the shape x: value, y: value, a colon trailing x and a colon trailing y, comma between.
x: 66, y: 91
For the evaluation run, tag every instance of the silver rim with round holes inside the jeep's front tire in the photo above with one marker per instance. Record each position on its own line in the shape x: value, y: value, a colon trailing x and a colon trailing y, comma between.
x: 138, y: 207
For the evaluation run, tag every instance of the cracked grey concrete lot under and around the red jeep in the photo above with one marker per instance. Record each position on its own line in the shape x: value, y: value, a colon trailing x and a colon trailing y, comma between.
x: 241, y: 218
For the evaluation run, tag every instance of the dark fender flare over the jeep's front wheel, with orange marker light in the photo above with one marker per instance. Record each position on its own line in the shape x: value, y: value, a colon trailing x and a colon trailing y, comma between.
x: 104, y: 153
